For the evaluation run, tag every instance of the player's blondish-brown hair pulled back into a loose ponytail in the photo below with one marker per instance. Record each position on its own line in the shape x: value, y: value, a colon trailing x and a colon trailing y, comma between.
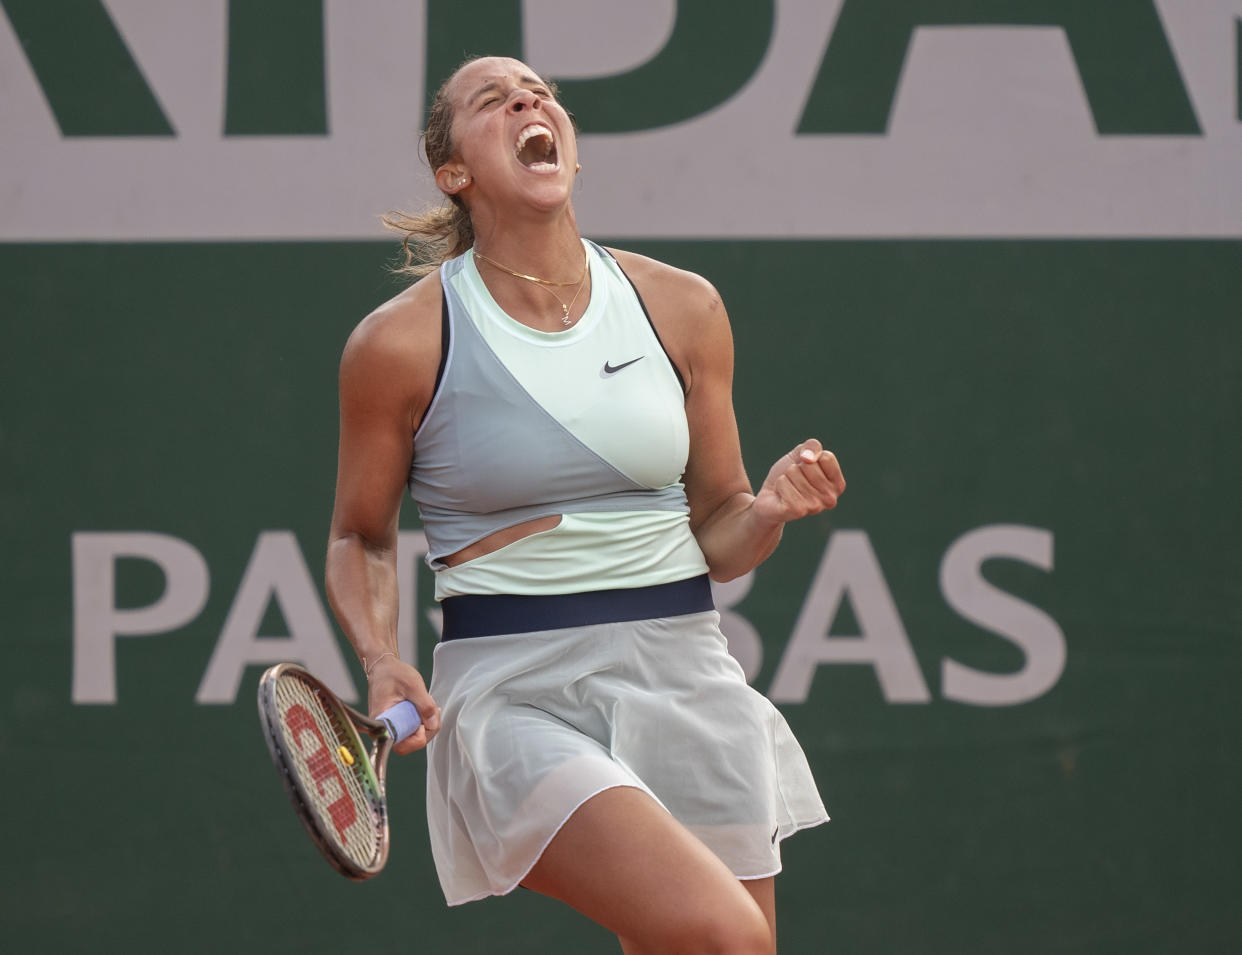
x: 444, y: 232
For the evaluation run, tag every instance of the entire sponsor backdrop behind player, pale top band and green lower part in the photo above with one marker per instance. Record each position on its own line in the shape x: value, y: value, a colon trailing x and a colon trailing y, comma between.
x: 1056, y: 358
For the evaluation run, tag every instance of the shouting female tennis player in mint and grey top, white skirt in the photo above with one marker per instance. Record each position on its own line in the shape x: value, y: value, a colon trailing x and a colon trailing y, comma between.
x: 562, y: 414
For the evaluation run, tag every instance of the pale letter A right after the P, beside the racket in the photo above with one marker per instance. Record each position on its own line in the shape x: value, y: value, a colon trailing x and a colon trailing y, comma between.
x: 276, y: 569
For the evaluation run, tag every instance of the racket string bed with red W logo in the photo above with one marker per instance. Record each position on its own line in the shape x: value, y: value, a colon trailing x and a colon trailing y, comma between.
x: 342, y: 794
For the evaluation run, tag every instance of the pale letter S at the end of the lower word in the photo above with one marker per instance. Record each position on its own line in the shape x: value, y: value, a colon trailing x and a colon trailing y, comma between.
x: 1034, y: 631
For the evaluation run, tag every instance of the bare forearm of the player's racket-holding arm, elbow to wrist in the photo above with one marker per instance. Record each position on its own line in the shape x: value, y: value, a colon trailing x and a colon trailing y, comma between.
x: 361, y: 579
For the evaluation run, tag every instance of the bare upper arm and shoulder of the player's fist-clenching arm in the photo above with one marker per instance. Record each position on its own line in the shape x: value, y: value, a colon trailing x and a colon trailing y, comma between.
x: 694, y: 326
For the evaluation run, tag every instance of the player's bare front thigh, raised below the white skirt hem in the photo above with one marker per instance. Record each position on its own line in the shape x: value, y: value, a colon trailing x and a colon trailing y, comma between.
x: 624, y: 862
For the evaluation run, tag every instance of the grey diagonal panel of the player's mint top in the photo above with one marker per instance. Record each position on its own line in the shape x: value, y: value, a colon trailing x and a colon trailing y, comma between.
x: 489, y: 456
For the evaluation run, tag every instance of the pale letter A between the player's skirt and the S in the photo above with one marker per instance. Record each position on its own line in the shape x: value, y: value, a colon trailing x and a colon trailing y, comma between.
x: 850, y: 567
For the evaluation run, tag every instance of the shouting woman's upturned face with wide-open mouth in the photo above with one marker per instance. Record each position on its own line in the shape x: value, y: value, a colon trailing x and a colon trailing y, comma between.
x: 512, y: 138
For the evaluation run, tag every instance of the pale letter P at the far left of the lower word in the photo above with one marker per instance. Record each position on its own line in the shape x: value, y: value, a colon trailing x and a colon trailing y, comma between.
x: 97, y: 622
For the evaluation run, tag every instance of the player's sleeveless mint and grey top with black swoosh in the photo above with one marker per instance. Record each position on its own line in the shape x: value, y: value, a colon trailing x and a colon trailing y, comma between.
x: 588, y: 424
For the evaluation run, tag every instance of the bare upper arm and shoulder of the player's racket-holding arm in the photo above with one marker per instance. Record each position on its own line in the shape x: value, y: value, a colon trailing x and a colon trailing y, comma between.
x: 387, y: 377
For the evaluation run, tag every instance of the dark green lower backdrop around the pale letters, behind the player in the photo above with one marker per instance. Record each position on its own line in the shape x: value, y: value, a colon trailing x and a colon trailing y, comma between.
x: 1087, y: 388
